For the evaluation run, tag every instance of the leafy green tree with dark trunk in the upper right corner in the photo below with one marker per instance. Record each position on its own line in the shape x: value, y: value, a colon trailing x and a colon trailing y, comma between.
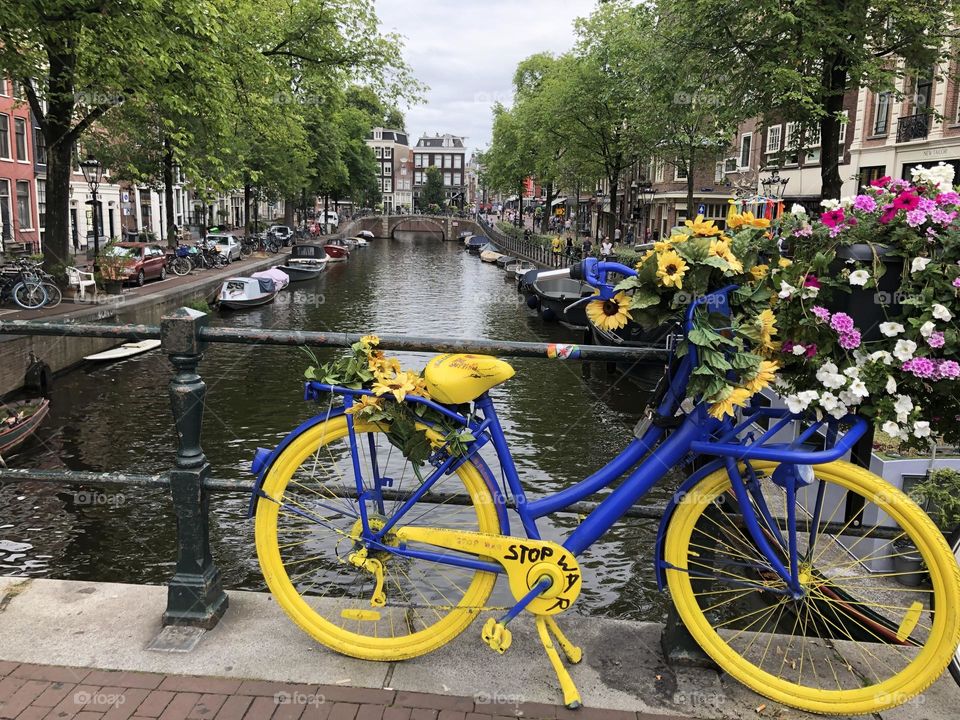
x: 803, y: 57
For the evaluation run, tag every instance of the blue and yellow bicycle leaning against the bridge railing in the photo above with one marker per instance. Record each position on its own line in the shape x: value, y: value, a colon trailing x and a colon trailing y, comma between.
x: 779, y: 557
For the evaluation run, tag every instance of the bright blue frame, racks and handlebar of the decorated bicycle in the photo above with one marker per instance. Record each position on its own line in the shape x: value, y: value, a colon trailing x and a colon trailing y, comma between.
x: 644, y: 461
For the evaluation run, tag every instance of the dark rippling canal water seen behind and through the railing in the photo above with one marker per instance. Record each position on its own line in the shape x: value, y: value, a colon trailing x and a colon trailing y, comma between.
x: 561, y: 427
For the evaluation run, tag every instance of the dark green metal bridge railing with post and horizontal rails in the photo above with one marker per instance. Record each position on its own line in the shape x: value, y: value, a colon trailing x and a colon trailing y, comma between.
x: 195, y: 593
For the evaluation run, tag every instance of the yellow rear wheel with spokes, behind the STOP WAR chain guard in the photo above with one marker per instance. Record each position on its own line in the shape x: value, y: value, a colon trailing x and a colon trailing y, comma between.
x: 307, y: 536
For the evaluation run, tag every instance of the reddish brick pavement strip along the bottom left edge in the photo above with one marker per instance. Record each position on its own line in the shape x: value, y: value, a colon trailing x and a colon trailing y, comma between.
x: 48, y: 692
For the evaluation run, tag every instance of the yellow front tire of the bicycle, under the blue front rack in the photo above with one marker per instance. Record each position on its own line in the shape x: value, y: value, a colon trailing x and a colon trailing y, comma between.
x: 912, y: 680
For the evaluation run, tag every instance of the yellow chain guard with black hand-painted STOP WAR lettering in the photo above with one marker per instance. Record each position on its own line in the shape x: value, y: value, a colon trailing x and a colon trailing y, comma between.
x: 526, y: 562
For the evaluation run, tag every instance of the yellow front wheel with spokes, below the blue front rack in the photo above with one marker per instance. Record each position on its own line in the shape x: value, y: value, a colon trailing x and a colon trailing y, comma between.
x: 868, y: 632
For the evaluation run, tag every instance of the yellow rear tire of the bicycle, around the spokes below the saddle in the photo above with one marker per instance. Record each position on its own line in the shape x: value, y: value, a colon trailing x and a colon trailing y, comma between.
x: 313, y: 623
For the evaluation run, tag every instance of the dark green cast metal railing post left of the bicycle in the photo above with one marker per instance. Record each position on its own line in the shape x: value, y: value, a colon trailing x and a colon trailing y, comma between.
x: 195, y: 595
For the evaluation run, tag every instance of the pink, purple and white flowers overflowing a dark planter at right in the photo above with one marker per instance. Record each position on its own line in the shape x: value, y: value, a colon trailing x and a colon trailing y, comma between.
x: 867, y: 312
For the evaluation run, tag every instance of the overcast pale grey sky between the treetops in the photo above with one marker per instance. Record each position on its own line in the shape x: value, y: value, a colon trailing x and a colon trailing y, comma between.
x: 467, y: 50
